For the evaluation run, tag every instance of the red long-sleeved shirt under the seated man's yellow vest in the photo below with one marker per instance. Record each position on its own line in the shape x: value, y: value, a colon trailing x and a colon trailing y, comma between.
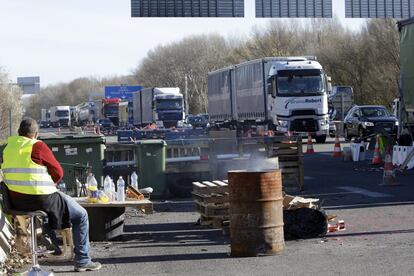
x: 42, y: 155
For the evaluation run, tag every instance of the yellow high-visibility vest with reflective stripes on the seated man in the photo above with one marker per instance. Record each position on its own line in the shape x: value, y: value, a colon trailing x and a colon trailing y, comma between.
x: 20, y: 173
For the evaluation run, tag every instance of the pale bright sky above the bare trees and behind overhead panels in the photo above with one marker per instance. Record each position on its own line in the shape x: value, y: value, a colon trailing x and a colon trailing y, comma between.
x: 63, y: 40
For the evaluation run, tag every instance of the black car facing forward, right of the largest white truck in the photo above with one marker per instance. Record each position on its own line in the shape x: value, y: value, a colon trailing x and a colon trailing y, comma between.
x: 364, y: 120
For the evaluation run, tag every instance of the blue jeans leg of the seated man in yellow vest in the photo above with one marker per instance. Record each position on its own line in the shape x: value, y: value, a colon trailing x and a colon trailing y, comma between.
x: 80, y: 230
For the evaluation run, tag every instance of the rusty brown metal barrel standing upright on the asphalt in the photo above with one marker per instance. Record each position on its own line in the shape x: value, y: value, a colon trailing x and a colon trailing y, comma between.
x: 256, y: 213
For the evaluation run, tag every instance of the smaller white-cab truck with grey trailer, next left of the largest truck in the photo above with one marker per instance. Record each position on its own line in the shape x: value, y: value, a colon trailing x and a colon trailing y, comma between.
x: 161, y: 105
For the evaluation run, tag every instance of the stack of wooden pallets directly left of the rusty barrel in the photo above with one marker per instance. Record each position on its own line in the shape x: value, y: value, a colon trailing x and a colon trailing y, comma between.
x: 212, y: 202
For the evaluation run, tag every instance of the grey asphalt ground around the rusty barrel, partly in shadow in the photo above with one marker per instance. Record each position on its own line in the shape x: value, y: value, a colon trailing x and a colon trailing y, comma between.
x: 378, y: 240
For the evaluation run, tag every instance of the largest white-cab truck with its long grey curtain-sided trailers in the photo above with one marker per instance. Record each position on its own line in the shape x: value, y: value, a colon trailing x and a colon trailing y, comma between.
x: 286, y: 94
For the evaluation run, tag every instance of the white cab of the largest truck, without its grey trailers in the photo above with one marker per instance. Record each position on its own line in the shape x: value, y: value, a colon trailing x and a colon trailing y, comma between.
x: 298, y: 97
